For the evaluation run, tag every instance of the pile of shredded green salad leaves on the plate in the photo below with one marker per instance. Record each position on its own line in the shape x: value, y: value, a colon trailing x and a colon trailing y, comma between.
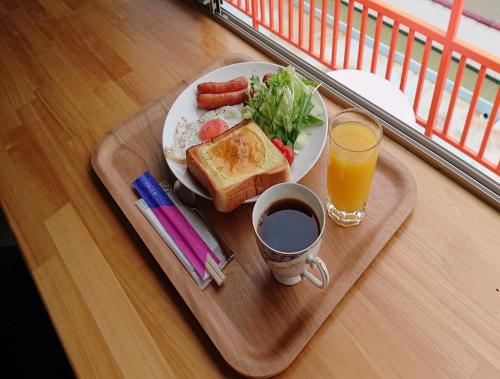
x: 284, y: 106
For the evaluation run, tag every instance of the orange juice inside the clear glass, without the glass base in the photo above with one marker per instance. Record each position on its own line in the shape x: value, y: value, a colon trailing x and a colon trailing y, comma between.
x: 352, y: 157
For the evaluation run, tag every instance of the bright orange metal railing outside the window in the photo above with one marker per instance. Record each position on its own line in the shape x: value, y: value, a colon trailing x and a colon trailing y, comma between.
x: 270, y: 14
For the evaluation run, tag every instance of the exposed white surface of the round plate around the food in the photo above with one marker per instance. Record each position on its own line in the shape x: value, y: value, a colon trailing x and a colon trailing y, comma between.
x: 185, y: 106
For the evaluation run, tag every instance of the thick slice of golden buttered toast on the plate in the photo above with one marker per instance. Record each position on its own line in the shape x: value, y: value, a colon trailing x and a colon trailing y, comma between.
x: 237, y: 165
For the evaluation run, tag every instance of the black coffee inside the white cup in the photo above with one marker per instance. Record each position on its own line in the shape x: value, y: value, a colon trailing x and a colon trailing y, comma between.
x: 289, y: 225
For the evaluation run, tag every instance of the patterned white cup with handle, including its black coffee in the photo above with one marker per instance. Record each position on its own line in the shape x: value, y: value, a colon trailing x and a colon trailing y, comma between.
x: 290, y: 264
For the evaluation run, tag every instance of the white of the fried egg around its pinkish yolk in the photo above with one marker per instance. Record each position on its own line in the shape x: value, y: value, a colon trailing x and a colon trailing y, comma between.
x: 187, y: 133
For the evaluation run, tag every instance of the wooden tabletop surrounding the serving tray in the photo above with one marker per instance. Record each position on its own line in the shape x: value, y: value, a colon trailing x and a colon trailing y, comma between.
x: 429, y: 305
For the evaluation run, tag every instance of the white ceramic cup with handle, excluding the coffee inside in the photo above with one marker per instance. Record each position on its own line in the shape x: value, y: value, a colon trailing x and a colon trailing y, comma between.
x: 290, y: 267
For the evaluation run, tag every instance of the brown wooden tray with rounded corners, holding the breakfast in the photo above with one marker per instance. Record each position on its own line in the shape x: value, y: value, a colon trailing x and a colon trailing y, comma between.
x: 258, y: 325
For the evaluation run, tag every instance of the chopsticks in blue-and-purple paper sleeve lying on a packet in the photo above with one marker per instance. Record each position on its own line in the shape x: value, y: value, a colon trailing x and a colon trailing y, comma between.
x: 158, y: 201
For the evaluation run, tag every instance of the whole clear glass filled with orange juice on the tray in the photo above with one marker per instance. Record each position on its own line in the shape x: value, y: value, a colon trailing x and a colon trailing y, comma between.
x: 353, y: 144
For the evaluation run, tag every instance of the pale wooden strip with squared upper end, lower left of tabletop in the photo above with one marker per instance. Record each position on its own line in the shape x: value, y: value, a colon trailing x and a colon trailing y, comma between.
x: 99, y: 288
